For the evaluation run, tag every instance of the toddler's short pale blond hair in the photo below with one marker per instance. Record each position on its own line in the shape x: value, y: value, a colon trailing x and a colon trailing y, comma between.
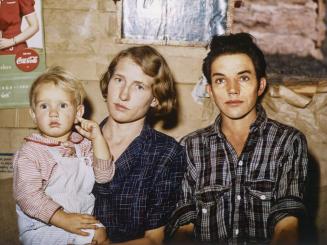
x: 61, y: 78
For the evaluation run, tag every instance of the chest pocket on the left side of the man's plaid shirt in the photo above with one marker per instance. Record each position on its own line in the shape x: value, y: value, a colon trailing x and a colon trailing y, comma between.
x: 211, y: 210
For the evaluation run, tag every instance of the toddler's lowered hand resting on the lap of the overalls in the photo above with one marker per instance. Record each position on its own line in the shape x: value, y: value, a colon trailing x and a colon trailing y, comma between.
x: 74, y: 222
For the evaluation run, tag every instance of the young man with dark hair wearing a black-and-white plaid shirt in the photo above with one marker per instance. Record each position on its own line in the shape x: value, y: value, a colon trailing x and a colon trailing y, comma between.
x: 246, y: 173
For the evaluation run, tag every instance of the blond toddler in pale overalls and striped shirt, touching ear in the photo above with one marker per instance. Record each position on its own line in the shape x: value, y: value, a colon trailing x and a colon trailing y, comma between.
x: 55, y: 169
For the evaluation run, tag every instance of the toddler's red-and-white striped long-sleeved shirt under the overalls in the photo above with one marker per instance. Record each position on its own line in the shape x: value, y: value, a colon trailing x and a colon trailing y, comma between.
x: 33, y: 167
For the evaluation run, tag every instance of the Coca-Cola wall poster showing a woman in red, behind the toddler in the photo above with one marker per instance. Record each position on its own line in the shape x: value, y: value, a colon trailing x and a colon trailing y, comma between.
x: 22, y: 52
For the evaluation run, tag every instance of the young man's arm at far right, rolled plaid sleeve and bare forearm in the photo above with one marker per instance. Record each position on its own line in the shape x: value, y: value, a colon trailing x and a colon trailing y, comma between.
x: 288, y: 205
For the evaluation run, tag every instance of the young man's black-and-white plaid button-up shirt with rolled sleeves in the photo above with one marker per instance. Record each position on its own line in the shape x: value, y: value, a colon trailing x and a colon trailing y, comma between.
x: 240, y: 199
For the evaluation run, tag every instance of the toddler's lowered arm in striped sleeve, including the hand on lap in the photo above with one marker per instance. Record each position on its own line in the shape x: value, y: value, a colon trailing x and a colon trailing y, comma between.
x: 31, y: 198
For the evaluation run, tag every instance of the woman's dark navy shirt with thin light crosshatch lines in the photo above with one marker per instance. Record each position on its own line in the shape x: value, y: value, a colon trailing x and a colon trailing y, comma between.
x: 145, y: 188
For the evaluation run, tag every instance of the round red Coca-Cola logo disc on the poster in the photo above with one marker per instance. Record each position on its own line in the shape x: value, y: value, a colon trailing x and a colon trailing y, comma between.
x: 27, y: 59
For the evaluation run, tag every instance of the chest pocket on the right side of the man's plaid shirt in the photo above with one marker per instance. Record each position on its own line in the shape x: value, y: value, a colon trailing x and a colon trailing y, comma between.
x: 260, y: 197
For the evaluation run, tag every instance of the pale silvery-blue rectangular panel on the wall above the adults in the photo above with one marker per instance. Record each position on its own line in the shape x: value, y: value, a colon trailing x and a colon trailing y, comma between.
x: 174, y: 22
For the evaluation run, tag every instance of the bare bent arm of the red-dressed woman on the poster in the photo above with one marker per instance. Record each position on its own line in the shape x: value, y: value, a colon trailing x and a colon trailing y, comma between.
x: 33, y: 27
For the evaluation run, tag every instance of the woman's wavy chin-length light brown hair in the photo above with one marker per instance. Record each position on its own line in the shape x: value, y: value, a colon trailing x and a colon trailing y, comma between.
x: 154, y: 65
